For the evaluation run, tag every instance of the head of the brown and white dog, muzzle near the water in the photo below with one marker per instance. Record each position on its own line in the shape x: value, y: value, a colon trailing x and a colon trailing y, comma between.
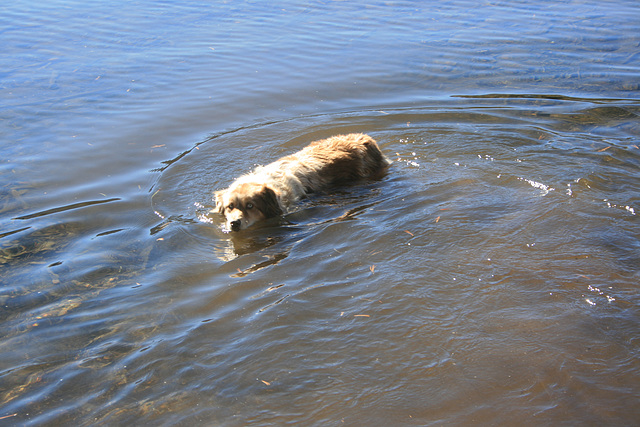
x: 245, y: 204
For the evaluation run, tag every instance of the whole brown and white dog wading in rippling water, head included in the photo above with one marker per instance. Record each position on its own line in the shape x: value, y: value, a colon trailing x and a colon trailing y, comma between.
x: 270, y: 190
